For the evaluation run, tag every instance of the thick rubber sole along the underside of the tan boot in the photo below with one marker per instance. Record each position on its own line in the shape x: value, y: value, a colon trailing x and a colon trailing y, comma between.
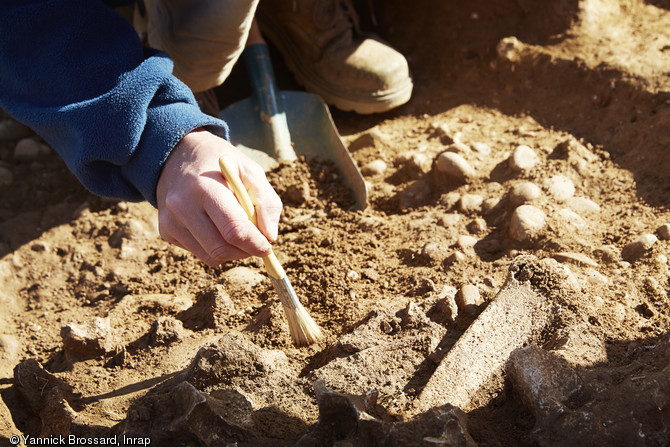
x: 347, y: 101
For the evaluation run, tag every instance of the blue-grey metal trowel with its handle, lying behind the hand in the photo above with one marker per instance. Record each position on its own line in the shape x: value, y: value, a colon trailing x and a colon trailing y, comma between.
x: 274, y: 125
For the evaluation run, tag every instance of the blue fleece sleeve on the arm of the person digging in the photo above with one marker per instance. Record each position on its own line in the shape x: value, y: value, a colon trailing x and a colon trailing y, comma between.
x: 76, y: 73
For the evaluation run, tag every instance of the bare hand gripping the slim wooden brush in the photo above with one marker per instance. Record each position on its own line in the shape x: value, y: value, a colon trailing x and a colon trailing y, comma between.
x: 197, y: 210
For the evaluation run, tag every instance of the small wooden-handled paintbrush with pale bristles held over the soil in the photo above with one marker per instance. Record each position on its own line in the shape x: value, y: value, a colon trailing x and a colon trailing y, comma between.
x: 303, y: 329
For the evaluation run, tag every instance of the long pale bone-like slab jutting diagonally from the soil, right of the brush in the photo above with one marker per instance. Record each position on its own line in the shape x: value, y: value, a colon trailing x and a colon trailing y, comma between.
x: 518, y: 315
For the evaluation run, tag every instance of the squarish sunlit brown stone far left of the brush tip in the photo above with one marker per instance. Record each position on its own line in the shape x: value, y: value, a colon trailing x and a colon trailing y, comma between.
x: 88, y: 340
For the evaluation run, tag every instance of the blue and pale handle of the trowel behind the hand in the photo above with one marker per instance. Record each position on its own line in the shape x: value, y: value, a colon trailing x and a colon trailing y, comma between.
x: 257, y: 60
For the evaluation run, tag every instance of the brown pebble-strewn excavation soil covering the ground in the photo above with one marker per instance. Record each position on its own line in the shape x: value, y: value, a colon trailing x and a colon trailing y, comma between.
x: 584, y: 84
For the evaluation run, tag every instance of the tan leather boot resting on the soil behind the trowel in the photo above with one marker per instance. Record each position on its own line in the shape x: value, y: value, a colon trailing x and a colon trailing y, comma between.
x: 324, y: 48
